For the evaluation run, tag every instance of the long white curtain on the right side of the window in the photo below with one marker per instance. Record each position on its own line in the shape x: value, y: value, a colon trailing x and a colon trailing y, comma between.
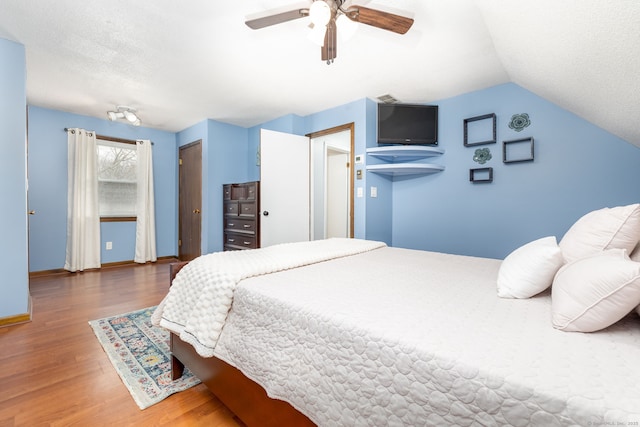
x: 145, y: 210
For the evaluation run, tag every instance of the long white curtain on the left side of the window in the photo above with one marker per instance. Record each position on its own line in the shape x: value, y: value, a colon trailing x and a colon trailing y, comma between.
x: 83, y: 211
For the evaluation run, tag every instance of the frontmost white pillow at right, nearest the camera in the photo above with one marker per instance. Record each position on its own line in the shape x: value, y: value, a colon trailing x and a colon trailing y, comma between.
x: 595, y: 292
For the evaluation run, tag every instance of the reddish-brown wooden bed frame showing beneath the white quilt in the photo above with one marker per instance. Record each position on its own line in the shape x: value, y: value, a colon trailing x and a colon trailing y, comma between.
x: 244, y: 397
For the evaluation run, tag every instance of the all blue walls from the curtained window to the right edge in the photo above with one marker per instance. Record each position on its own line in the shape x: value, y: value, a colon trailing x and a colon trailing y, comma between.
x: 578, y: 167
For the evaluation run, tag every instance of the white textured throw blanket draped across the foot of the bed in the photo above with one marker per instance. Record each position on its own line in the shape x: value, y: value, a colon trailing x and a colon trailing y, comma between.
x: 200, y: 297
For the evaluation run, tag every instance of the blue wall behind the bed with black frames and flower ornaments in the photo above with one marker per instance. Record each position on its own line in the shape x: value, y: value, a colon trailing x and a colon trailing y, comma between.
x: 578, y: 167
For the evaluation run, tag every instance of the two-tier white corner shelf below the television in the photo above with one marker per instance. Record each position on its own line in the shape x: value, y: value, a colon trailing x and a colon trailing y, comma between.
x: 401, y: 160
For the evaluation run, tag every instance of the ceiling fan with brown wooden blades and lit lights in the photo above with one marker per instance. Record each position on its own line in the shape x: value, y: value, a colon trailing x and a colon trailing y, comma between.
x: 325, y: 14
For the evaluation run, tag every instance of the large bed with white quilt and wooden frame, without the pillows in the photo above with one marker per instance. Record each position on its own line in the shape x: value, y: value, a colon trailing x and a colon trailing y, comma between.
x: 389, y: 336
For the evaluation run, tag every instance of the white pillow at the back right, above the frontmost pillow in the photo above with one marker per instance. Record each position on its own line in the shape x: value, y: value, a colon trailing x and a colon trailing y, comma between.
x: 603, y: 229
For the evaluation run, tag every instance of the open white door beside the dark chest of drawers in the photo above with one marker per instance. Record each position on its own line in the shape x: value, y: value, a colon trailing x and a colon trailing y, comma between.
x: 284, y: 188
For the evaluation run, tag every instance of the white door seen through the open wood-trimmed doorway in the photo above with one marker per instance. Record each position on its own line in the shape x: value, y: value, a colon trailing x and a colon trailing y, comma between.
x: 337, y: 204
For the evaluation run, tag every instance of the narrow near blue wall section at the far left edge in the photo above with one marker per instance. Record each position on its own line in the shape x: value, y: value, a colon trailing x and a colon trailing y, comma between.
x: 14, y: 284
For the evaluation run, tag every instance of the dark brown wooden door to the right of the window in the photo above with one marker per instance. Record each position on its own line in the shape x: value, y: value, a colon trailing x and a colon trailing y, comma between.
x: 190, y: 201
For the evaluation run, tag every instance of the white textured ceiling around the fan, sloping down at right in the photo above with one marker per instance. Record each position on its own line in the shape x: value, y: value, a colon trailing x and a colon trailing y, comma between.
x: 179, y: 63
